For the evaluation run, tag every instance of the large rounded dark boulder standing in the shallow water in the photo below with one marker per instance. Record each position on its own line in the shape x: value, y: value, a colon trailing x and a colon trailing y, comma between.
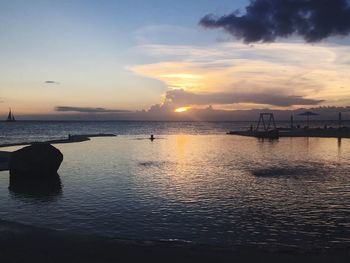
x: 37, y: 160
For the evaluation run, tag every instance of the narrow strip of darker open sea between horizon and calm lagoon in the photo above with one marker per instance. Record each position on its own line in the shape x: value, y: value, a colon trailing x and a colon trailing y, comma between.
x: 24, y: 131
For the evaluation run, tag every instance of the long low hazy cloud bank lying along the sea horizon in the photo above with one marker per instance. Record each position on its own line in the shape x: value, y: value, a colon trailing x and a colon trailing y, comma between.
x: 157, y: 113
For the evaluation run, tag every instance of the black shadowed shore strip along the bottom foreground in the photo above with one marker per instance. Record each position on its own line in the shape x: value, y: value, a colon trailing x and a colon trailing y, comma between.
x: 23, y: 243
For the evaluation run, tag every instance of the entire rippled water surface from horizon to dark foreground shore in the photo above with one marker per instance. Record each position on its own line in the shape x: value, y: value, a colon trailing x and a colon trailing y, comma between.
x: 193, y: 183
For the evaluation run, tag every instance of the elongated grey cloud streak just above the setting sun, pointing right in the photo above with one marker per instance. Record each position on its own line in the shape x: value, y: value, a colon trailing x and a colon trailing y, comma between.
x: 183, y: 98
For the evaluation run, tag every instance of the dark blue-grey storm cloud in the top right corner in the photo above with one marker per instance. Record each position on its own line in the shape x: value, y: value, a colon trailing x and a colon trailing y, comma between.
x: 266, y: 20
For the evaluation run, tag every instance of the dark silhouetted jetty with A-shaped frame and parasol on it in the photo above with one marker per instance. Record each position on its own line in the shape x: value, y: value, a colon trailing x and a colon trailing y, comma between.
x: 267, y: 128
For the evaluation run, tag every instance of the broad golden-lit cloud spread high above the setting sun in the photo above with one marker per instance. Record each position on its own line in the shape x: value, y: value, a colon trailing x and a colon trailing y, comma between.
x: 292, y: 69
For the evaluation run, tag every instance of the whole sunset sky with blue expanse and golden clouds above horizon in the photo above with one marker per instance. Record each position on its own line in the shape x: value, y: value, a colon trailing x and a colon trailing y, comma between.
x: 163, y: 59
